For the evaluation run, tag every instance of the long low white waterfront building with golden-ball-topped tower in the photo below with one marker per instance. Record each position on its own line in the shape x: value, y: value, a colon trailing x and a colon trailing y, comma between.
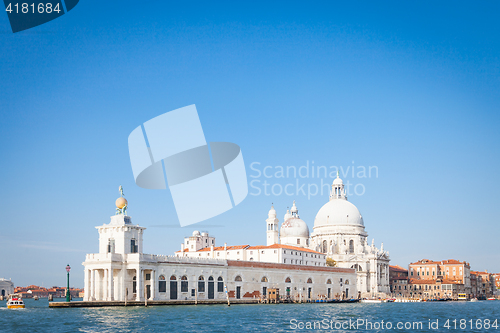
x: 122, y: 271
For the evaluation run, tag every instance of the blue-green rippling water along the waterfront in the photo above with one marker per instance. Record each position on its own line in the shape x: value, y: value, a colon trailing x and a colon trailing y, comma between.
x: 38, y: 317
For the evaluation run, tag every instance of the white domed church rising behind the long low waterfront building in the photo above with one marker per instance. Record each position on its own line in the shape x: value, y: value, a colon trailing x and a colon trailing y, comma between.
x: 339, y: 232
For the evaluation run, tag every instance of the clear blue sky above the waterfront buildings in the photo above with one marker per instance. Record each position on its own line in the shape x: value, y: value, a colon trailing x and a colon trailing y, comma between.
x: 408, y: 88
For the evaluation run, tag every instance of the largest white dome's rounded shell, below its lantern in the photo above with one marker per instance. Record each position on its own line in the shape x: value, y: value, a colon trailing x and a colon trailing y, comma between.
x: 338, y: 212
